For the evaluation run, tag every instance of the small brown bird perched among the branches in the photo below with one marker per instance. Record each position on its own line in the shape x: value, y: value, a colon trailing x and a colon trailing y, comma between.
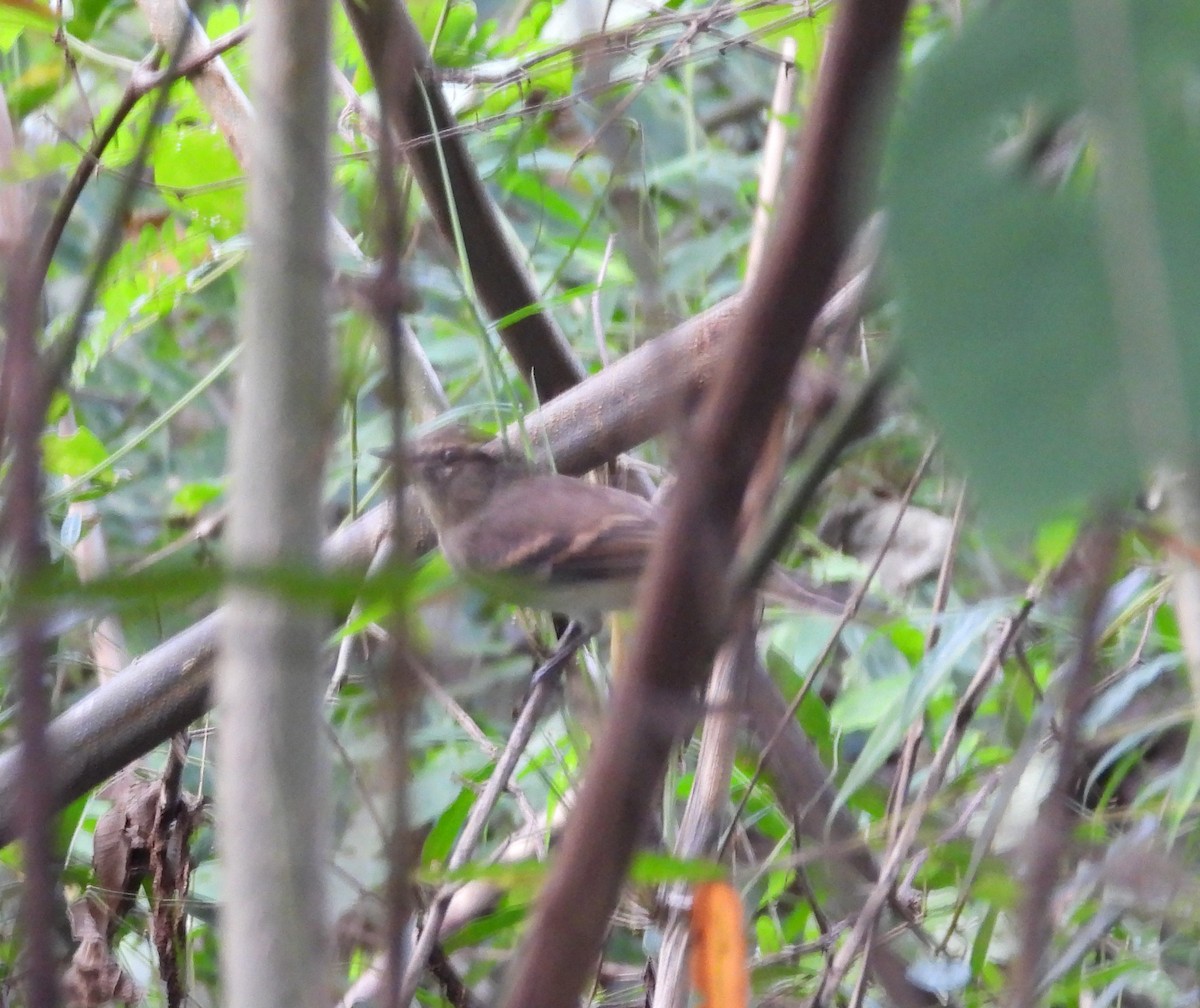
x: 549, y: 542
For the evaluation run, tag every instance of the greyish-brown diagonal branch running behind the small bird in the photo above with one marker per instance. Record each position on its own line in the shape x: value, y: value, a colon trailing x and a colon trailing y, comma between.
x: 166, y: 689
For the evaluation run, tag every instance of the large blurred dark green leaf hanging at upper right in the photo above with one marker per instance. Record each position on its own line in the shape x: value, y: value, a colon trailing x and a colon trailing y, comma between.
x: 1048, y: 315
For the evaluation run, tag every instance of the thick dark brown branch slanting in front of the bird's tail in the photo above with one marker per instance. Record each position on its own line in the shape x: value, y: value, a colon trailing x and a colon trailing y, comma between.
x: 685, y: 603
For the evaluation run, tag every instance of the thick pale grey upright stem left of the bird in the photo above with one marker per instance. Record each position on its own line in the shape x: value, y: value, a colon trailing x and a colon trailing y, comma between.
x: 273, y: 769
